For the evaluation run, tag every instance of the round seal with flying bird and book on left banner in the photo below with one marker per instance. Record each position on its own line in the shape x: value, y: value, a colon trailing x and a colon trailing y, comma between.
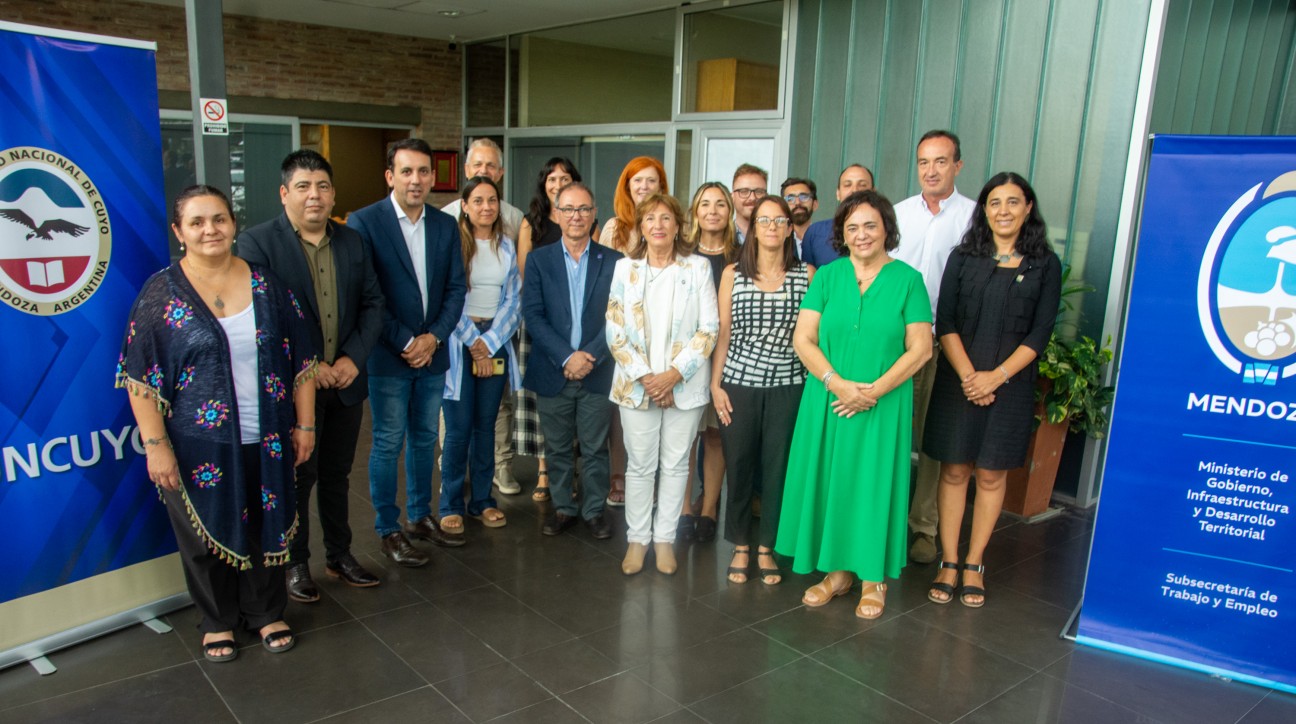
x: 55, y: 234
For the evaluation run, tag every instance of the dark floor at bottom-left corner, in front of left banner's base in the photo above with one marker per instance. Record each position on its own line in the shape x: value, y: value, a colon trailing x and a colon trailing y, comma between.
x: 174, y: 695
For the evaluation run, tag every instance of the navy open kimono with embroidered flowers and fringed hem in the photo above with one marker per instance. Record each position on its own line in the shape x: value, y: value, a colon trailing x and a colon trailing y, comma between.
x: 177, y: 354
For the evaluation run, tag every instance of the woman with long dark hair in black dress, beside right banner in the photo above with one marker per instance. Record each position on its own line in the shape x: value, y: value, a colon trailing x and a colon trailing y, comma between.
x: 996, y: 314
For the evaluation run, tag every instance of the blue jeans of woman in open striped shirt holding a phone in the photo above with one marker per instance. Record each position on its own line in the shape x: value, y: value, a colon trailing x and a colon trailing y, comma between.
x: 471, y: 441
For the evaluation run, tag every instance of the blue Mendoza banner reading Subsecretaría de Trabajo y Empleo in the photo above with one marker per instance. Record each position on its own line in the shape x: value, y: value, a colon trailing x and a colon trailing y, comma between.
x: 1196, y: 543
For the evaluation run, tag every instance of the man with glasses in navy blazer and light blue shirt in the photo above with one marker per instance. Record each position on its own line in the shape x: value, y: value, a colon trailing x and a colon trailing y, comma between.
x: 571, y: 367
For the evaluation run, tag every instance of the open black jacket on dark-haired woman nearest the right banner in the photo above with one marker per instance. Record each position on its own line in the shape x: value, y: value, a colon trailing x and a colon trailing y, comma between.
x: 1032, y: 306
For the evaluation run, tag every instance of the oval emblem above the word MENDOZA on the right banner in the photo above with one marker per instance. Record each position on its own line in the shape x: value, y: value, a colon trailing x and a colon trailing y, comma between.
x: 1247, y: 284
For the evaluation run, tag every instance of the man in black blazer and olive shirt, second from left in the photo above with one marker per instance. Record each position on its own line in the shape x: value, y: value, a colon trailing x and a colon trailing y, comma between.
x: 329, y: 269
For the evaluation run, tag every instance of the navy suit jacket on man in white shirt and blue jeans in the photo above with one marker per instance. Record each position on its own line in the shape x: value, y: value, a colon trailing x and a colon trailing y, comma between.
x: 404, y: 317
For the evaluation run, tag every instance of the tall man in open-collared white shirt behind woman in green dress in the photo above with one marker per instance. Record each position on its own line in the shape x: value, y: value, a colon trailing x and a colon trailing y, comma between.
x: 931, y: 226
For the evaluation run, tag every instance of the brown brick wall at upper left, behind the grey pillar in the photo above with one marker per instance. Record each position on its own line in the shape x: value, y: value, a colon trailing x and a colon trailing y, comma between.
x: 282, y: 60
